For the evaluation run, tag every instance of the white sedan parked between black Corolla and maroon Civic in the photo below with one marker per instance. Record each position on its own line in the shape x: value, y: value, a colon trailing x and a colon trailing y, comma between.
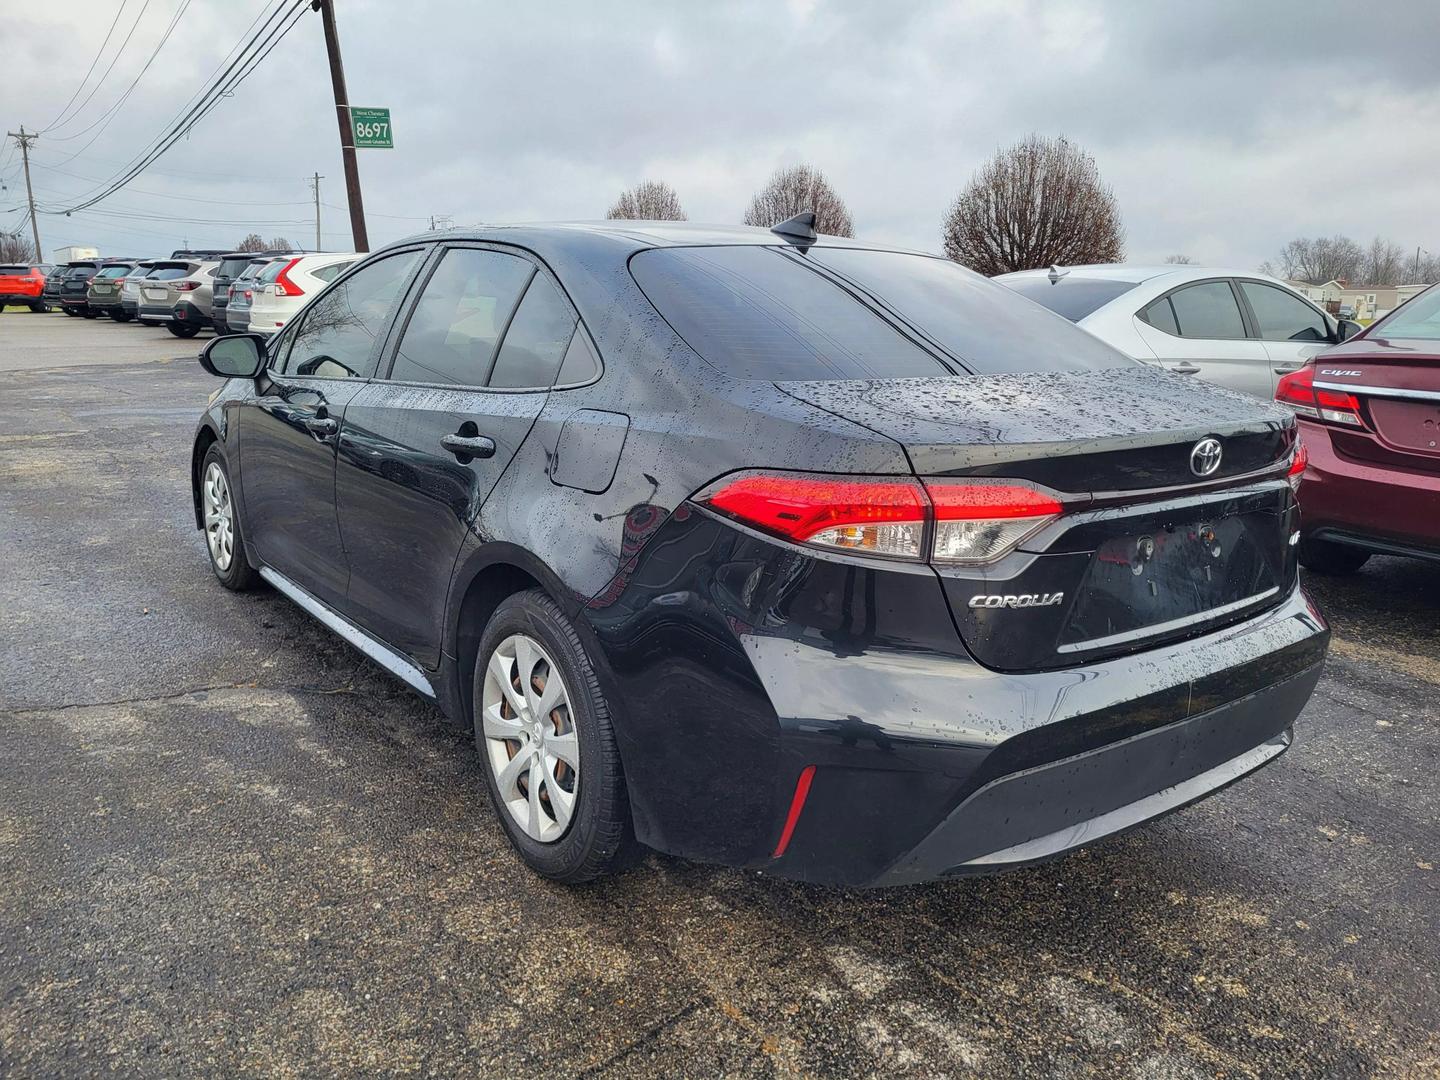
x: 1238, y: 329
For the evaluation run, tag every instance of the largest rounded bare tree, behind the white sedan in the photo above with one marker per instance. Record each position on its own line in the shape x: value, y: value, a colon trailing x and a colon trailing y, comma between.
x: 1039, y: 204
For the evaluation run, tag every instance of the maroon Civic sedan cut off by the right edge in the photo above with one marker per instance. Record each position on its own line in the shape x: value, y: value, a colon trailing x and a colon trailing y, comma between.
x: 1370, y: 418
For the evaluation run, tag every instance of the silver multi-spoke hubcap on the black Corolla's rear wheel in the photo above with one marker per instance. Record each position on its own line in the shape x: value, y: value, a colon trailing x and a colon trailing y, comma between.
x: 529, y: 738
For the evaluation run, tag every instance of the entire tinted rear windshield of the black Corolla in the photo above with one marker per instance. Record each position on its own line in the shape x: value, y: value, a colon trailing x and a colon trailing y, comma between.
x: 761, y: 313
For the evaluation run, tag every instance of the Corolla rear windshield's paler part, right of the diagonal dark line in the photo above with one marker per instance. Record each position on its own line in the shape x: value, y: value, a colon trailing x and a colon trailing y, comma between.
x: 983, y: 323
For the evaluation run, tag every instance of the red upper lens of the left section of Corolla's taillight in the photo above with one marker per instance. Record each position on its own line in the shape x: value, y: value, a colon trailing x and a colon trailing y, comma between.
x: 801, y: 506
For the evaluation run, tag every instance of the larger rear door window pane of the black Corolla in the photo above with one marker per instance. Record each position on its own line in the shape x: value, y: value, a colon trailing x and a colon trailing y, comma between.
x: 459, y: 319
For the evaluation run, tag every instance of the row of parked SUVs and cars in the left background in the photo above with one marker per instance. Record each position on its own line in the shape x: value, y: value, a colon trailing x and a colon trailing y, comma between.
x: 188, y: 293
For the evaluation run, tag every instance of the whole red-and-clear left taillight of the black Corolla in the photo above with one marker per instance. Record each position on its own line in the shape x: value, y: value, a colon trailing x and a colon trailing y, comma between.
x: 948, y: 522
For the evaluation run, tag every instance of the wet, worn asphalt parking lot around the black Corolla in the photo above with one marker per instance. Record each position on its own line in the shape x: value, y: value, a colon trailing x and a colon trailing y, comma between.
x: 230, y: 845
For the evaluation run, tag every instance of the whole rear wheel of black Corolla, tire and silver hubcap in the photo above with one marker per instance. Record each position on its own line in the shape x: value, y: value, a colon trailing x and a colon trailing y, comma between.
x: 597, y: 839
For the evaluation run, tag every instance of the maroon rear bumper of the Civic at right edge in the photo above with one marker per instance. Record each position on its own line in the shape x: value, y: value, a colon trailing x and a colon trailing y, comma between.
x: 1379, y: 509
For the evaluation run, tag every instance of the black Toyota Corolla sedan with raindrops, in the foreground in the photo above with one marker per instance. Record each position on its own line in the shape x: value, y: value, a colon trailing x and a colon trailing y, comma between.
x: 768, y: 549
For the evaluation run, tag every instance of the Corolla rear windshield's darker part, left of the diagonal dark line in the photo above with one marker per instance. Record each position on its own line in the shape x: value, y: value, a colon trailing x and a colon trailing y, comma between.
x: 755, y: 313
